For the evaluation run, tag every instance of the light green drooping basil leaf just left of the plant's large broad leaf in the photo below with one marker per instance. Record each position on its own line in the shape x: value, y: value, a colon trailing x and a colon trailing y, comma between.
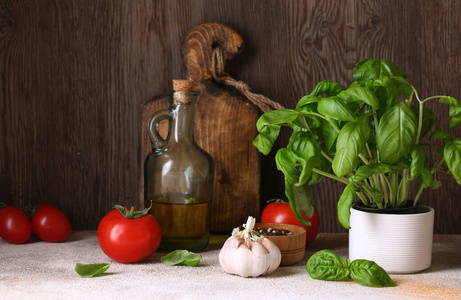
x: 350, y: 143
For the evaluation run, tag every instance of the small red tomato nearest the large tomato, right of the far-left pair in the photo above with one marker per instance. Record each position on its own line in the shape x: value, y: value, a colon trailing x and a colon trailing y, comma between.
x: 50, y: 224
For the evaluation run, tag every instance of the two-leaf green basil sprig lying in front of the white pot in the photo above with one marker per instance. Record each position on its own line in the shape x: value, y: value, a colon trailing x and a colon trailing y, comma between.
x: 326, y: 265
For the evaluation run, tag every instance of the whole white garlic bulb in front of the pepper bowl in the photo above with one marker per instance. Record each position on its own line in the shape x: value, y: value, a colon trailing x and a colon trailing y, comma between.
x: 247, y: 254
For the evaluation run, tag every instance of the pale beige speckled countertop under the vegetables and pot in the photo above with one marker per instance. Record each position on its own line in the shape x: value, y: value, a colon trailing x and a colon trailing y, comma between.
x: 40, y: 270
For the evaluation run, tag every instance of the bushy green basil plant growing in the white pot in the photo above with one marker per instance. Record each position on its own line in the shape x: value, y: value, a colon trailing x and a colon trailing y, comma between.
x: 367, y: 136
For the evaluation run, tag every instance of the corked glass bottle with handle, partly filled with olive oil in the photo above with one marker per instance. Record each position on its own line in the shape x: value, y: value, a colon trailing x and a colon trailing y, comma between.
x: 179, y: 175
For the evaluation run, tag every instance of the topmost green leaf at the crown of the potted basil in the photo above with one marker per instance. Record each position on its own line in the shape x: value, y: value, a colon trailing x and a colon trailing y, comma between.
x: 376, y: 68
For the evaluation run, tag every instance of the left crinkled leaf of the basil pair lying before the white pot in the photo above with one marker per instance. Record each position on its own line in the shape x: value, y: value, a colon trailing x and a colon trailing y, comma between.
x: 326, y: 265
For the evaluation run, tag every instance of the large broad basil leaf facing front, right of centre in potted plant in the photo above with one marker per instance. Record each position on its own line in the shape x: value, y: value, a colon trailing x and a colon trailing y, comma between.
x: 396, y: 133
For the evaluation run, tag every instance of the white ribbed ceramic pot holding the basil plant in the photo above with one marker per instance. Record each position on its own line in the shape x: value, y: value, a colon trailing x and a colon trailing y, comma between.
x: 399, y: 243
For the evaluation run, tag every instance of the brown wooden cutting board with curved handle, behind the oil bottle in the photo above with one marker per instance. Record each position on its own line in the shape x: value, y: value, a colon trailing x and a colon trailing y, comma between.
x: 225, y: 126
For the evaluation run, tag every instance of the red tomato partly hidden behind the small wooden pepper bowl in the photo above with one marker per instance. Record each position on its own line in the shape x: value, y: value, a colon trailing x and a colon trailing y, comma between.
x: 280, y: 212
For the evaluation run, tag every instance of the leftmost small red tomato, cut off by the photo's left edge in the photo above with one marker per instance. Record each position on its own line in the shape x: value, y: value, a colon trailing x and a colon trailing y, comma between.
x: 15, y: 226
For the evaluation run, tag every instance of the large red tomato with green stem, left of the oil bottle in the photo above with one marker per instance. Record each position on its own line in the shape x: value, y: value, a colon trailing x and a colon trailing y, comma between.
x: 128, y: 240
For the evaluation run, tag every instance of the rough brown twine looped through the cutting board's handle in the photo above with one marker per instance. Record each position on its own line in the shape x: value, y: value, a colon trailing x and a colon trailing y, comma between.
x: 217, y: 65
